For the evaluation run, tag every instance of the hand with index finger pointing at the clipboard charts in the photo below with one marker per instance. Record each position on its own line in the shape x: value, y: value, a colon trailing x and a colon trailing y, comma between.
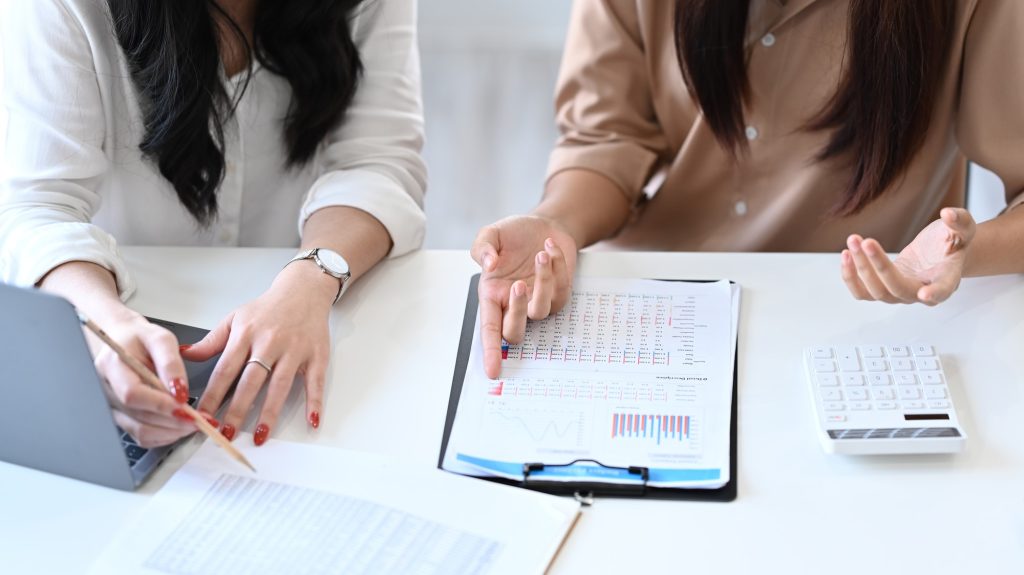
x: 528, y: 264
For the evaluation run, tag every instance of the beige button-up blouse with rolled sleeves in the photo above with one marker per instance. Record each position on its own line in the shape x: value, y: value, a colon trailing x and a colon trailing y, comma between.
x: 624, y: 112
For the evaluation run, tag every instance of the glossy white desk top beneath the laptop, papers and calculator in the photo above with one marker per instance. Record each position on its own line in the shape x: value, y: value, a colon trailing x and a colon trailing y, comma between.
x: 799, y: 511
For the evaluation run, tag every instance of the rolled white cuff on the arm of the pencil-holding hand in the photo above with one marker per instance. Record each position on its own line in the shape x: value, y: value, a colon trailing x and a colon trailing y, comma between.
x: 39, y: 250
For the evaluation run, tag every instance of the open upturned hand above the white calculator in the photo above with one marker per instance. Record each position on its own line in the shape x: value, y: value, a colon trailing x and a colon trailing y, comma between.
x: 928, y: 271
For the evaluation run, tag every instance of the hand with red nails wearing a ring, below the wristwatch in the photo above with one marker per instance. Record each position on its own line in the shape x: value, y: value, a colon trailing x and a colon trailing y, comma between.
x: 286, y: 329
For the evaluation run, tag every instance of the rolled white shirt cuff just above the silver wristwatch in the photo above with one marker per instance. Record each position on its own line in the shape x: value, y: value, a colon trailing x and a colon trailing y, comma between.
x: 377, y: 195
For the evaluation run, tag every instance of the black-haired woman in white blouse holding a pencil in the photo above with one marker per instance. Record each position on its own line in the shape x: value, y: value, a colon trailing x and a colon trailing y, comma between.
x: 210, y: 123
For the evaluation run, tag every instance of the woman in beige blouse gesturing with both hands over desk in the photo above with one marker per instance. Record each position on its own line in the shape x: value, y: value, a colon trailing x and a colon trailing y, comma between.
x: 774, y: 125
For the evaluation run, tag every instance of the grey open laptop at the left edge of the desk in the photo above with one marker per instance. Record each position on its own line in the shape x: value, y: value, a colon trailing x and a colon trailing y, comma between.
x: 54, y: 414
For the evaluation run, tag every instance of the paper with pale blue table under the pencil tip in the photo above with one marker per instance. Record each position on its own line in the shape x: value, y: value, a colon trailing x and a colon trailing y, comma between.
x: 316, y: 510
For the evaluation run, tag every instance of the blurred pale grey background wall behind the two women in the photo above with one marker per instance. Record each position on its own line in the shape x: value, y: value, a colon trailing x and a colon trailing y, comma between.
x: 489, y: 76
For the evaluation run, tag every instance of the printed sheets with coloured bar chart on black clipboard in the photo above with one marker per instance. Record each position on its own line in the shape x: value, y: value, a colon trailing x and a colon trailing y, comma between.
x: 632, y: 373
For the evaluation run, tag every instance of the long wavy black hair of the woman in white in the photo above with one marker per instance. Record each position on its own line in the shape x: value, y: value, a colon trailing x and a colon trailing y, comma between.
x: 174, y: 56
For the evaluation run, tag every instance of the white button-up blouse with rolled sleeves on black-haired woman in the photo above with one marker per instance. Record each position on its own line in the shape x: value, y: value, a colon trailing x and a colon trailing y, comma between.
x: 75, y: 184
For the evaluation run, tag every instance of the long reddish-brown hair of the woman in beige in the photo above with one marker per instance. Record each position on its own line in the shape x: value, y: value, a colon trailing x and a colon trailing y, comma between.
x: 880, y: 113
